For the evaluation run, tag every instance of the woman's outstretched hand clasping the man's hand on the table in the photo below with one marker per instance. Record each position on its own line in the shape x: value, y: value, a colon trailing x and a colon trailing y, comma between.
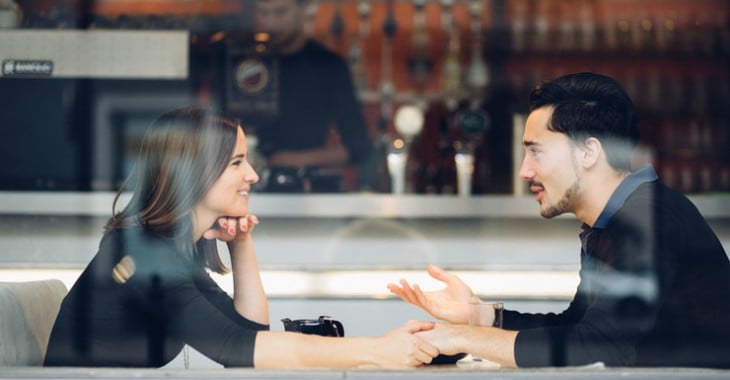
x: 401, y: 348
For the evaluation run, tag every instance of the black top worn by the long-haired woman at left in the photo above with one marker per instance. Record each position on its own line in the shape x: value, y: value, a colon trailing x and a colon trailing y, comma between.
x: 139, y: 301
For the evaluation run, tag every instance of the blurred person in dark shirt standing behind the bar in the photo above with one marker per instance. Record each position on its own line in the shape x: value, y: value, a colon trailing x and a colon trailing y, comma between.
x: 315, y: 94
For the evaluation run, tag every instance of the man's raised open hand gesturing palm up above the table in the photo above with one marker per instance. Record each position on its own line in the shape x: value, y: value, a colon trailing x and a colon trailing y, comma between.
x: 449, y: 304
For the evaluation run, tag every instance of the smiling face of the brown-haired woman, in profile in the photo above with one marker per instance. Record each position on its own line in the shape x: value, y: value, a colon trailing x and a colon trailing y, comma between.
x: 229, y: 194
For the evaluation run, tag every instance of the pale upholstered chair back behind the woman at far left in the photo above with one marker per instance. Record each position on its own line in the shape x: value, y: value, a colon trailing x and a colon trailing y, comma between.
x: 27, y: 313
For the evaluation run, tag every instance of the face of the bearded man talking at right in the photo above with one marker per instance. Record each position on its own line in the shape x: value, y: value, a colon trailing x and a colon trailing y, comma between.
x: 550, y: 165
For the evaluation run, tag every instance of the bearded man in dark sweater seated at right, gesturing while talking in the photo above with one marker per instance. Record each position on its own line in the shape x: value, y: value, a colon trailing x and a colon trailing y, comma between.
x: 654, y: 279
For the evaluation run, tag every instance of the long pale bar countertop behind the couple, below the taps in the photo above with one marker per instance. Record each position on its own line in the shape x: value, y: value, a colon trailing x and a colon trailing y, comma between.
x: 346, y: 205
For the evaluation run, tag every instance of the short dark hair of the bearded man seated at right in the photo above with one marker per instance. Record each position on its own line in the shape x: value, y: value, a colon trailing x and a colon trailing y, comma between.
x: 591, y: 105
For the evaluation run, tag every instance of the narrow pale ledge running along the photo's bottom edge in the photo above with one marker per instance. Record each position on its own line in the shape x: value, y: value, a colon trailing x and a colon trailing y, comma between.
x: 428, y: 372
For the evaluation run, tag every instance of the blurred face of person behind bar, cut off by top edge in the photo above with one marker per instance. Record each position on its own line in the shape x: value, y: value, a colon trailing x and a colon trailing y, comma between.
x: 282, y: 19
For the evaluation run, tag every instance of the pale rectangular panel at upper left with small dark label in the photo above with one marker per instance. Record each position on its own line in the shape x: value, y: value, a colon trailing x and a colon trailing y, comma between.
x: 113, y: 54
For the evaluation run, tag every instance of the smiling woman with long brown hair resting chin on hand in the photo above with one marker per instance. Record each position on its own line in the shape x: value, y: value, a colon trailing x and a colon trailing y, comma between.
x: 146, y: 293
